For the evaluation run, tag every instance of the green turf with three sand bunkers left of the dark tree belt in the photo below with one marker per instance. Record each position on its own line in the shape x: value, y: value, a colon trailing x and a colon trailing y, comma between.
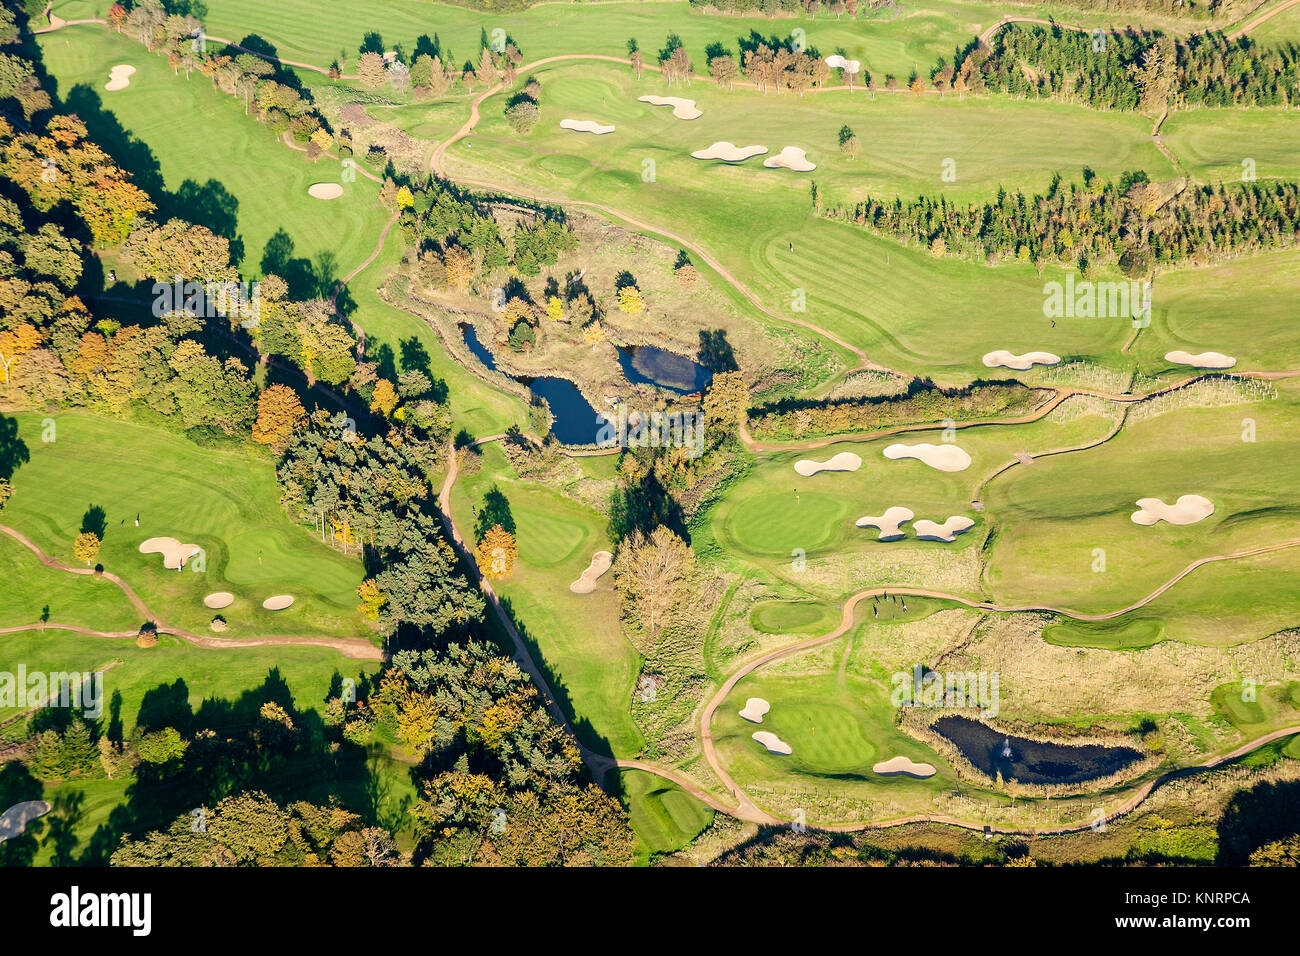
x: 226, y: 501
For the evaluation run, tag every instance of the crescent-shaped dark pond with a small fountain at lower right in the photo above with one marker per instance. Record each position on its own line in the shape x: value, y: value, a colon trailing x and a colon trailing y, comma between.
x: 1033, y: 762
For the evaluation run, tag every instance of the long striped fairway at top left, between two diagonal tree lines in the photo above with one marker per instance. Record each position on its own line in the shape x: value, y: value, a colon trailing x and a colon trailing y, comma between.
x: 192, y: 132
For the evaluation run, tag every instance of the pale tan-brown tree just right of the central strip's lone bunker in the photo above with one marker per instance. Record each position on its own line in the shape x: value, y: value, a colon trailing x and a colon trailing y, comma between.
x: 653, y: 577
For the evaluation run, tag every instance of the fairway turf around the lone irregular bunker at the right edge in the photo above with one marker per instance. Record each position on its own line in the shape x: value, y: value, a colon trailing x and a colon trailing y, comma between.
x: 1054, y: 516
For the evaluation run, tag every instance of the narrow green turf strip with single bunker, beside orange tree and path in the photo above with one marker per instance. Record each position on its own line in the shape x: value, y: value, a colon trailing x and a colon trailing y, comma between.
x: 579, y: 637
